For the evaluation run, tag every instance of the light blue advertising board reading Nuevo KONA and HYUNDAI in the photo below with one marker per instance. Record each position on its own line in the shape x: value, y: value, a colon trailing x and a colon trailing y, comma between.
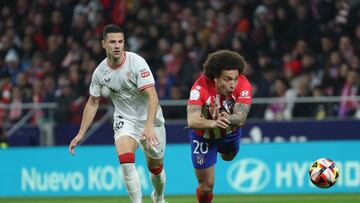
x: 272, y: 168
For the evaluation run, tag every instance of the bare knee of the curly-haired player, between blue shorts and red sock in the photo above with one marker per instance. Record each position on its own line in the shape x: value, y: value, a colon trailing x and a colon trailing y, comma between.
x: 205, y: 178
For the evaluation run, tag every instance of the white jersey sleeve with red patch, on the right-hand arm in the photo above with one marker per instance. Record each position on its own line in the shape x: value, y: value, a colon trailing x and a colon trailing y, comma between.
x: 144, y: 77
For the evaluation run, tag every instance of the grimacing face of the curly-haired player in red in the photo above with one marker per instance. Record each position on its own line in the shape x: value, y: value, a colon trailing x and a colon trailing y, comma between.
x: 226, y: 83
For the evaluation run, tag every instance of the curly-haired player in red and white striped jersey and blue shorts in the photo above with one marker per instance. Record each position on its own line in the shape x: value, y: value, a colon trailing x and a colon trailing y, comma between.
x: 218, y: 106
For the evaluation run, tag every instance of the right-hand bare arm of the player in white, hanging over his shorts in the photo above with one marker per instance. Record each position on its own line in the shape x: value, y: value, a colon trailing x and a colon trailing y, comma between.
x: 149, y: 131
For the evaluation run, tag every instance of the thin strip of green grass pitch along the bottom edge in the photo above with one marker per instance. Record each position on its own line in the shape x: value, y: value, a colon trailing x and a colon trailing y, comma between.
x: 305, y: 198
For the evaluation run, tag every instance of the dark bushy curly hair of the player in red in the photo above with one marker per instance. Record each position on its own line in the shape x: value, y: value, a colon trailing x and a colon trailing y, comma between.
x: 223, y: 60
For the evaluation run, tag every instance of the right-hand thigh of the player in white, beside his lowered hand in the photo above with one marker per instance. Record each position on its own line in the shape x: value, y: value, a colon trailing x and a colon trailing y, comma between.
x: 154, y: 155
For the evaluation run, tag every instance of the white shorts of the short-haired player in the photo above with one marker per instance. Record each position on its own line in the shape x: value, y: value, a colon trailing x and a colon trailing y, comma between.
x: 124, y: 127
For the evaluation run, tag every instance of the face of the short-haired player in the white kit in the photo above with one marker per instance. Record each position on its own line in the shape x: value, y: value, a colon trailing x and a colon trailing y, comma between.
x: 114, y: 45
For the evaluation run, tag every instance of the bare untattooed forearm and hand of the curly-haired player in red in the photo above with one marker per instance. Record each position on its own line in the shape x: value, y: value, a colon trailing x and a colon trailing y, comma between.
x: 197, y: 121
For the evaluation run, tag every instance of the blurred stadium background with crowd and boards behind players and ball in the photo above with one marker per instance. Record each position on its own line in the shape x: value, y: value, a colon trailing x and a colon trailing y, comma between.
x: 303, y: 62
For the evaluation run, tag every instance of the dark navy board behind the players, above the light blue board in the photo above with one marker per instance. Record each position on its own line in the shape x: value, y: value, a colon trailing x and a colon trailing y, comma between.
x: 253, y: 132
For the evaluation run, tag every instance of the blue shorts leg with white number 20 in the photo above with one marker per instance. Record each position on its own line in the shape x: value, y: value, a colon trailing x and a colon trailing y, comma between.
x: 203, y: 151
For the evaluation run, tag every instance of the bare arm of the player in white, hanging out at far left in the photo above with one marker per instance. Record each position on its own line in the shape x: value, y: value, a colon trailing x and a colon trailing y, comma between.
x: 88, y: 116
